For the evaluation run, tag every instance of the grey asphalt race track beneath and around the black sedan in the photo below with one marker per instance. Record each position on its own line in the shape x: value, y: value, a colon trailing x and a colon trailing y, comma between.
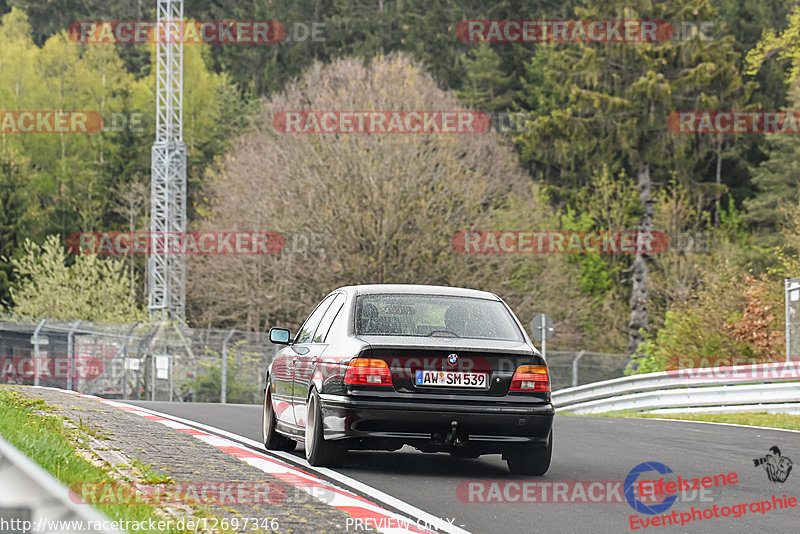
x: 585, y: 449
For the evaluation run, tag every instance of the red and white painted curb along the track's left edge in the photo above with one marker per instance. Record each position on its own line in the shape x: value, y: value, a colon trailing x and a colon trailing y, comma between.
x: 371, y: 515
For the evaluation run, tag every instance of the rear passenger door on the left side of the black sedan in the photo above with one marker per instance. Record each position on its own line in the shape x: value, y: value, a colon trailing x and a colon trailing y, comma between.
x: 304, y: 354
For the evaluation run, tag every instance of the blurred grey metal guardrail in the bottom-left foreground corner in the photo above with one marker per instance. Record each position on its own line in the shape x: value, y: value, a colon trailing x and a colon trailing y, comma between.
x: 31, y: 500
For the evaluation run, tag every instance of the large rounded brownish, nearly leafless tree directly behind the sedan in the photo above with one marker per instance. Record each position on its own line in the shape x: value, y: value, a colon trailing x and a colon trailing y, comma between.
x: 387, y: 205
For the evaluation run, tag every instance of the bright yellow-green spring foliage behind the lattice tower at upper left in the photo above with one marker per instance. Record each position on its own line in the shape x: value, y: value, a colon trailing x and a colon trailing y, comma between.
x: 78, y: 182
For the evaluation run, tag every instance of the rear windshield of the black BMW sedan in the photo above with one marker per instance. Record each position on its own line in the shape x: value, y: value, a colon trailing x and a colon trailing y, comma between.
x: 434, y: 315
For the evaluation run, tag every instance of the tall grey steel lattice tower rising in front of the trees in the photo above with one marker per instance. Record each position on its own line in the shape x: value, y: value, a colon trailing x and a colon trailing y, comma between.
x: 166, y: 273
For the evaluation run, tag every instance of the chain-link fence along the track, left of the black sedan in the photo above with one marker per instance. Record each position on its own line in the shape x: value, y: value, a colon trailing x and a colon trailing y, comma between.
x: 158, y: 361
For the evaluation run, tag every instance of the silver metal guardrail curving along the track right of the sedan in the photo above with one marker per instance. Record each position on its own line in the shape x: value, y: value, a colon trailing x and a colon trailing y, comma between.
x: 770, y: 387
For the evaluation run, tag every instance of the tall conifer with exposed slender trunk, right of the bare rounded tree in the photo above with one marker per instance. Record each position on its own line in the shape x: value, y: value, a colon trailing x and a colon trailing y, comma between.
x: 618, y: 98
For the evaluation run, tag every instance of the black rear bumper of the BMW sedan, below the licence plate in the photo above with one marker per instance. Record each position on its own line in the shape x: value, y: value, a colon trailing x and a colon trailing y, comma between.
x: 491, y: 426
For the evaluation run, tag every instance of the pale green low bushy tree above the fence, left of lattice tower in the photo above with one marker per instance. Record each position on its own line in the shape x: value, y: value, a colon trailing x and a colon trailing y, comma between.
x: 90, y: 289
